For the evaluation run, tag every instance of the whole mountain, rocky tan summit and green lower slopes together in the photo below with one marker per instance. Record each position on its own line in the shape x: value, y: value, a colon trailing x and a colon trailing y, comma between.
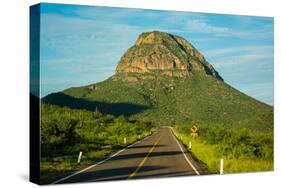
x: 163, y: 79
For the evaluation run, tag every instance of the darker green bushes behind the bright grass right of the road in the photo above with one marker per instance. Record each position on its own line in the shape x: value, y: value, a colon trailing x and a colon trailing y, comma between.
x: 235, y: 143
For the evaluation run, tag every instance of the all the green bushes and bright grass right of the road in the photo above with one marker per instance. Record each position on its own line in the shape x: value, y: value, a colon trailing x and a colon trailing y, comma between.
x: 243, y: 150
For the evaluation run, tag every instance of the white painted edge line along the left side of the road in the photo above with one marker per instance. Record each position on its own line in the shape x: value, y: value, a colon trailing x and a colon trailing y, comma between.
x: 100, y: 162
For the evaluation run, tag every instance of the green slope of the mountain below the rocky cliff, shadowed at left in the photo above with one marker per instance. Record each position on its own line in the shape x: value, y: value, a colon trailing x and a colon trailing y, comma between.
x: 166, y: 101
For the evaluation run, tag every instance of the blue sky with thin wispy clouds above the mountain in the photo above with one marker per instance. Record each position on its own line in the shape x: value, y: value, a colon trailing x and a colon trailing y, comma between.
x: 83, y: 44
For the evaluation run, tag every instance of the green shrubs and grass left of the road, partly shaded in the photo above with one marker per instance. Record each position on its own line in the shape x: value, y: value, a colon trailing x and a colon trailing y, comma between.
x: 65, y: 132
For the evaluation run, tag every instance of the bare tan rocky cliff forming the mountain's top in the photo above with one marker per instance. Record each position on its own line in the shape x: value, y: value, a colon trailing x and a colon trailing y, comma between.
x: 164, y: 54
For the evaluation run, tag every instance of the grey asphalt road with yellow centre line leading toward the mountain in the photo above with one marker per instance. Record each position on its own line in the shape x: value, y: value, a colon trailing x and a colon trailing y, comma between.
x: 158, y: 155
